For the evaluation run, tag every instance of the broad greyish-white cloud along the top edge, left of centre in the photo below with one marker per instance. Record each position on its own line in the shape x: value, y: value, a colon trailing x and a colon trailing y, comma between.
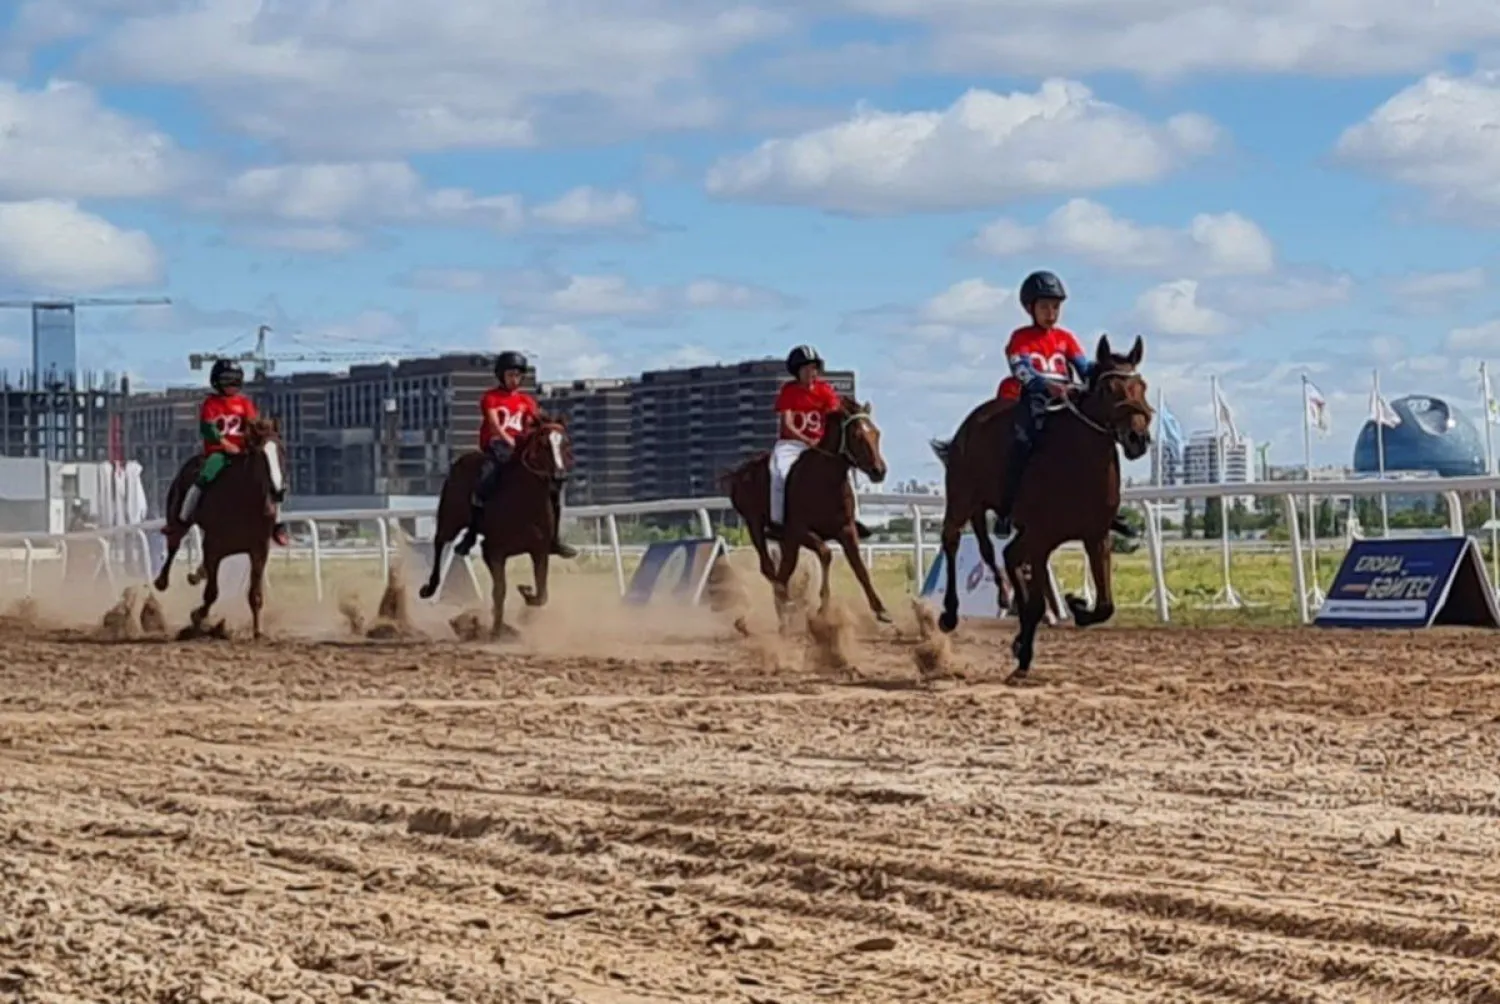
x: 350, y: 79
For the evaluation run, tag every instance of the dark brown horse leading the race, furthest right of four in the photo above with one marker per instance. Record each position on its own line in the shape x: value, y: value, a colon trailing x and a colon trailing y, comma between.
x: 1070, y: 491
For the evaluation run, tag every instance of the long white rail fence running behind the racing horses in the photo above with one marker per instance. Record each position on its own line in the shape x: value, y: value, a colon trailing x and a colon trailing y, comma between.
x: 119, y: 550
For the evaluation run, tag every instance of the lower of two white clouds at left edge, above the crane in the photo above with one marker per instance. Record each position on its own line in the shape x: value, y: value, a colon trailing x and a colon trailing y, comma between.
x: 53, y: 247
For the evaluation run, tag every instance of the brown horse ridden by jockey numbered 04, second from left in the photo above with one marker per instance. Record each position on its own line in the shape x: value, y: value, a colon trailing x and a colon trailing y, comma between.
x: 521, y: 519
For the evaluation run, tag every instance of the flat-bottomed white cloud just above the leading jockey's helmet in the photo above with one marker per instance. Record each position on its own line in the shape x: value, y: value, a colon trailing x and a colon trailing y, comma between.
x: 1211, y: 244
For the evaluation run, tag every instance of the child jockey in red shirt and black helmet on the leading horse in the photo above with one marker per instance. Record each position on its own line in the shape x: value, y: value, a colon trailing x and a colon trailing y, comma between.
x: 1042, y: 356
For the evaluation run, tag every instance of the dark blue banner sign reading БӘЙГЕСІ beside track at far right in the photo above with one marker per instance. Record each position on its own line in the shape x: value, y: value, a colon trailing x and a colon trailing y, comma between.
x: 1411, y: 583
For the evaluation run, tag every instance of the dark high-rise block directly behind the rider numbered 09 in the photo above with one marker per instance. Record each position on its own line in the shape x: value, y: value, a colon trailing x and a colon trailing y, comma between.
x: 692, y: 425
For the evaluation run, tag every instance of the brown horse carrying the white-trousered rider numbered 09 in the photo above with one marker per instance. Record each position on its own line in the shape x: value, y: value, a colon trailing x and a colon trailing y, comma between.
x: 820, y: 502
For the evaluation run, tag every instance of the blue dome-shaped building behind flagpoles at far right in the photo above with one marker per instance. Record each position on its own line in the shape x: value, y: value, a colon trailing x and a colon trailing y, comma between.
x: 1433, y: 437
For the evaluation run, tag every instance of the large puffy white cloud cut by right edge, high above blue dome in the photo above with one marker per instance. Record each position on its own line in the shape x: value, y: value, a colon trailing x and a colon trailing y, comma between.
x: 1441, y: 136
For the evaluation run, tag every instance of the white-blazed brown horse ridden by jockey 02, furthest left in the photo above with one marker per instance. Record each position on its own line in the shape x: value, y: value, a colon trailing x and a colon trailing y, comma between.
x: 238, y: 516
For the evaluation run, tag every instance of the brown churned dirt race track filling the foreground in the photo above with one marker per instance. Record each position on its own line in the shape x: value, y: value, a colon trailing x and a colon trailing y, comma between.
x: 1165, y: 816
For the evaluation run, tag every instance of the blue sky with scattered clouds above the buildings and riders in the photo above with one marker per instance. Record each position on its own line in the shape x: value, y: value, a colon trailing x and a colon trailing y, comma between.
x: 1261, y: 190
